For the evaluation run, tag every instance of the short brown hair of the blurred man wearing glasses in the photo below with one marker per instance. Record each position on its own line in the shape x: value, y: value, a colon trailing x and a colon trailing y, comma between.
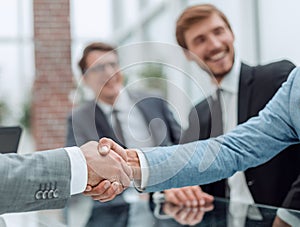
x: 92, y: 47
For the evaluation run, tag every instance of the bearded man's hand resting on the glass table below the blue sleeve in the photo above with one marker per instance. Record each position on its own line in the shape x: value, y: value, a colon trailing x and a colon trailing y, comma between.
x: 191, y: 196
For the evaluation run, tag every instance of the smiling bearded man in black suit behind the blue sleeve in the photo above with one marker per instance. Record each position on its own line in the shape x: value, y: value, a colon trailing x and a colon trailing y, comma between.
x: 205, y: 34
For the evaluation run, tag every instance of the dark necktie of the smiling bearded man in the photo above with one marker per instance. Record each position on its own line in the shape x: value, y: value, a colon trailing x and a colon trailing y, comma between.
x: 216, y: 116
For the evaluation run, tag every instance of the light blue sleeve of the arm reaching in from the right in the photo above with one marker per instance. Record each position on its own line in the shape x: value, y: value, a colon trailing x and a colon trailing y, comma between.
x: 248, y: 145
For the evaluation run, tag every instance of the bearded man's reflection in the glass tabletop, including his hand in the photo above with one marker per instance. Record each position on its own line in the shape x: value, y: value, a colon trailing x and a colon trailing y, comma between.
x: 224, y: 213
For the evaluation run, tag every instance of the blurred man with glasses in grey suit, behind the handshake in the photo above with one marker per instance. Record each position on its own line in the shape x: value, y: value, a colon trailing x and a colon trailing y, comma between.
x: 134, y: 119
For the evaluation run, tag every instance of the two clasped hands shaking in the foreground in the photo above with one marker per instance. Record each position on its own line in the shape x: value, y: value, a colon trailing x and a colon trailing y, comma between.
x: 110, y: 169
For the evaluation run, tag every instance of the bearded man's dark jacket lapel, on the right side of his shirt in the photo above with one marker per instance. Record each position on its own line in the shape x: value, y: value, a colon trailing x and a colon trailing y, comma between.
x: 245, y: 91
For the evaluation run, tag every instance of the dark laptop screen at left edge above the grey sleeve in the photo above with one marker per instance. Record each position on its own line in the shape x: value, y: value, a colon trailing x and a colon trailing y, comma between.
x: 9, y: 139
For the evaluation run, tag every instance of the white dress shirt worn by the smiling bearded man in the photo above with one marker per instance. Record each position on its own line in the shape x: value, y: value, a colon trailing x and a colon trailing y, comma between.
x: 237, y: 185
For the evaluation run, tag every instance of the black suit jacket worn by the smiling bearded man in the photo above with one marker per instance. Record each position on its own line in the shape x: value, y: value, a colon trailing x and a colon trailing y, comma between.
x: 270, y: 182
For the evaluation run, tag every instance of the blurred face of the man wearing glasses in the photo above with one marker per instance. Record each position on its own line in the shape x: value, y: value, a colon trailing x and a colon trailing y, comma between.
x: 103, y: 75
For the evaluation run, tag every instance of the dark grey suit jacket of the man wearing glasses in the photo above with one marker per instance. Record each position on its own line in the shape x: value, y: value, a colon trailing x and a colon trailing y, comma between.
x: 88, y: 122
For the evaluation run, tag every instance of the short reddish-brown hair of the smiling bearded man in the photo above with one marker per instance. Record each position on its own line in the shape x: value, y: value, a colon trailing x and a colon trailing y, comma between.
x: 192, y: 15
